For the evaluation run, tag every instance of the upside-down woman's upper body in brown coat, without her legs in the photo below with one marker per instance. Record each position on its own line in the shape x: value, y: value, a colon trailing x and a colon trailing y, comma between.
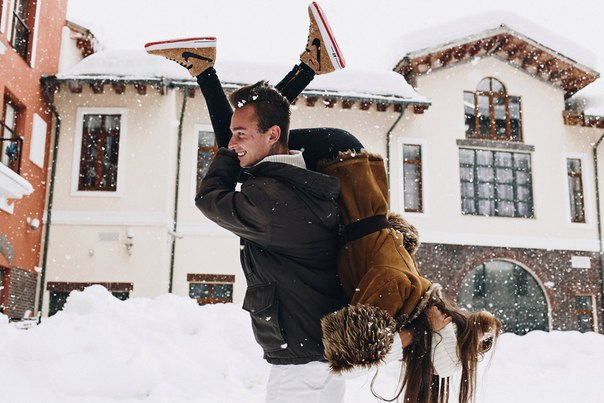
x: 392, y: 304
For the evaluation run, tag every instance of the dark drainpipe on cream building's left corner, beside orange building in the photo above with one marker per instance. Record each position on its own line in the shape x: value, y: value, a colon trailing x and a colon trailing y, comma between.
x: 46, y: 83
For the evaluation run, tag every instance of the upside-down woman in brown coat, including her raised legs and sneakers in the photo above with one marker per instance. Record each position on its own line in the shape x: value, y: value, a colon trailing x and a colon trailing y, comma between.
x: 376, y: 262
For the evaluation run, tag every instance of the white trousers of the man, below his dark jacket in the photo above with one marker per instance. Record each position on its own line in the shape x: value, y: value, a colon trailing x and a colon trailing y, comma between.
x: 306, y: 383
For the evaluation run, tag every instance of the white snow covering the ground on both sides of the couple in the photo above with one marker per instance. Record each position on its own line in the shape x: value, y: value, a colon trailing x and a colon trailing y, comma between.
x: 168, y: 349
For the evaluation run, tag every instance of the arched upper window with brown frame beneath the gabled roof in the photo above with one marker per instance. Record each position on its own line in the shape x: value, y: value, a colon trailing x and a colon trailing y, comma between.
x: 490, y: 113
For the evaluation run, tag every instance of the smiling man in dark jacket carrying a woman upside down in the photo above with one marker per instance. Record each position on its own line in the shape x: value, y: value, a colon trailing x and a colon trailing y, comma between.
x: 287, y: 219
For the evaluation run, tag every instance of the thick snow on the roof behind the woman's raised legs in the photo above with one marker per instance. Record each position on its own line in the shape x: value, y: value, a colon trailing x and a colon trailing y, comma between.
x: 124, y: 64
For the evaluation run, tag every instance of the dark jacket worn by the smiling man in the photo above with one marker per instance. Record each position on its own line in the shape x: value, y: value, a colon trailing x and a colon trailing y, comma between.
x: 287, y: 219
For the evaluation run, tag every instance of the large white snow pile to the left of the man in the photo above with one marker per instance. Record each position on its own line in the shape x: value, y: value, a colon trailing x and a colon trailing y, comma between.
x: 100, y: 349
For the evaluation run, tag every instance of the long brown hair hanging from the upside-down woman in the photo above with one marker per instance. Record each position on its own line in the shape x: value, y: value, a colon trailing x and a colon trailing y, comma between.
x: 477, y: 332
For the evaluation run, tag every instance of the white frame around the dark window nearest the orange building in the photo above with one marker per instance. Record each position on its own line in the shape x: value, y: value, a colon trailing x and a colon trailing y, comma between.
x: 119, y: 188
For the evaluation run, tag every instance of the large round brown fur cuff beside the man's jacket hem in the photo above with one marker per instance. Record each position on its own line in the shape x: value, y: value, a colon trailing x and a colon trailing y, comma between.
x: 357, y: 335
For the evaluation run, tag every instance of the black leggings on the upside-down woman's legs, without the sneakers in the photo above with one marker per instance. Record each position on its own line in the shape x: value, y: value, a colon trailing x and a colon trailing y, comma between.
x: 316, y: 144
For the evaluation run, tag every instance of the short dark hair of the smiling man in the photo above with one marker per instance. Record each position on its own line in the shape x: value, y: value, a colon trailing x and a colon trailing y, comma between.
x: 272, y: 108
